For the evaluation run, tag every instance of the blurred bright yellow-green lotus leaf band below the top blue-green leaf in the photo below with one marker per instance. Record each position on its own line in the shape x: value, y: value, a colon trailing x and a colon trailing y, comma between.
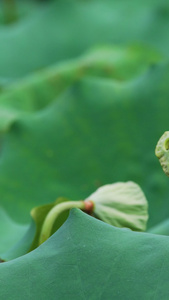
x: 39, y: 90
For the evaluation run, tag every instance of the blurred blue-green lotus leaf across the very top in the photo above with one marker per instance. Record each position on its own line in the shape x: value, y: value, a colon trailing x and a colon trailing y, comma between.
x: 60, y: 30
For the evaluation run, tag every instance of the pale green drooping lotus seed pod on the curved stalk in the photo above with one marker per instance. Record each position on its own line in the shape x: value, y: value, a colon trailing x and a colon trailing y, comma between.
x: 122, y: 205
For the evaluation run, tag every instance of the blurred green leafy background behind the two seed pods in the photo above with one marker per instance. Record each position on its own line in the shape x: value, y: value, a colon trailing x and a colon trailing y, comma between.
x: 84, y: 89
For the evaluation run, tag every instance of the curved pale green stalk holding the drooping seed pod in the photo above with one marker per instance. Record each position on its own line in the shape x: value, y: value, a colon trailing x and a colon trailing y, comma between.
x: 53, y: 214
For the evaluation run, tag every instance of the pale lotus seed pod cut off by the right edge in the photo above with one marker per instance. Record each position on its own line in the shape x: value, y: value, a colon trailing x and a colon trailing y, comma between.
x: 162, y: 152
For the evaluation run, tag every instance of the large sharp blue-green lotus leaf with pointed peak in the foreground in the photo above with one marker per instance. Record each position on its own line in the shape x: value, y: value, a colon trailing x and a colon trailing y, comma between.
x: 88, y: 259
